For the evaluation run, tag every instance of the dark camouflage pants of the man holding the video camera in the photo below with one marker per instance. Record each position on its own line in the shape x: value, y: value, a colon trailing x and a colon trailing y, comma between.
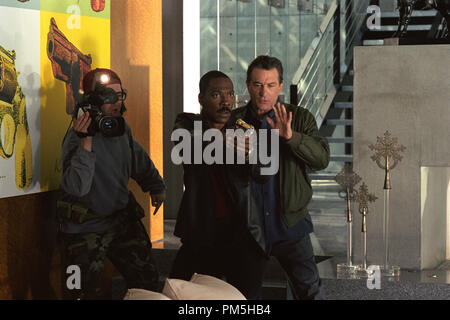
x: 128, y: 248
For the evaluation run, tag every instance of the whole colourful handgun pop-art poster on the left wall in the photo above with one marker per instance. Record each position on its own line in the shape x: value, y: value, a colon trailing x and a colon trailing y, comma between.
x: 46, y: 47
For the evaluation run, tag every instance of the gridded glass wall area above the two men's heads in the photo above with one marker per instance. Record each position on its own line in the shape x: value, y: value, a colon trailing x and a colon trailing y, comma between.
x: 248, y: 28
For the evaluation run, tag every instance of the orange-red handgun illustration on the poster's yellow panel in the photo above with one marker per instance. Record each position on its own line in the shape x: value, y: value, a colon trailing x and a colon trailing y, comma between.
x: 68, y: 64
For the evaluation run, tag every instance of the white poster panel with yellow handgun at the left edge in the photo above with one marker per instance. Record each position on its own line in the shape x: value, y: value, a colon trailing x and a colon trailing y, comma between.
x: 19, y: 99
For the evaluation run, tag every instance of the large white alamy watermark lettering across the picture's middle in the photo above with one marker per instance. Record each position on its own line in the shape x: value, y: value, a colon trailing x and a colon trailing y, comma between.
x: 220, y: 149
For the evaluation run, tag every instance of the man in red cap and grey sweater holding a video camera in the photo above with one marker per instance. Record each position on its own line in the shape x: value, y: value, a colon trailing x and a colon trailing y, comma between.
x: 99, y: 217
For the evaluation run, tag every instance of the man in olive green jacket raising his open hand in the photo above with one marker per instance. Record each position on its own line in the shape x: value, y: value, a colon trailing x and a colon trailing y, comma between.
x: 282, y: 201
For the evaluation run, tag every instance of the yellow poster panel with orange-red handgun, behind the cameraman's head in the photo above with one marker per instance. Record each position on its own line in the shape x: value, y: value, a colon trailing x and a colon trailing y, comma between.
x: 71, y: 45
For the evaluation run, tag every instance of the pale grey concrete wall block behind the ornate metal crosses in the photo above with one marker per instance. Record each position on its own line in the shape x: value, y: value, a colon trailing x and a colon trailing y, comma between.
x: 403, y: 89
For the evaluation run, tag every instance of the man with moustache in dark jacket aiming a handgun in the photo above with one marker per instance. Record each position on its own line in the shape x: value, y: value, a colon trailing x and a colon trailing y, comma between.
x: 212, y: 220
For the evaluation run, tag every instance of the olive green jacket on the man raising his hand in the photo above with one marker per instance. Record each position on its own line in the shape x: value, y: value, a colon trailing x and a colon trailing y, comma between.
x: 306, y: 148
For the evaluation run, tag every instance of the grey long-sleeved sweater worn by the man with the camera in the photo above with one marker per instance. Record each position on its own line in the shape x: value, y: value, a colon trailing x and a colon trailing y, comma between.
x: 99, y: 179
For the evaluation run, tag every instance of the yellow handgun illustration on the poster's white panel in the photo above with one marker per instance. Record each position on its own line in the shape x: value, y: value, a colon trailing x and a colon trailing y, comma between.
x: 13, y: 120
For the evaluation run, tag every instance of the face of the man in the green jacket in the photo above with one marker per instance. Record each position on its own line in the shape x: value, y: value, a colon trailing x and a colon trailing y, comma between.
x: 264, y: 89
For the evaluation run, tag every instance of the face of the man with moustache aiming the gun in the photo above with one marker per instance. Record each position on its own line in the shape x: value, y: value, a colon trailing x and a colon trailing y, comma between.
x: 218, y: 100
